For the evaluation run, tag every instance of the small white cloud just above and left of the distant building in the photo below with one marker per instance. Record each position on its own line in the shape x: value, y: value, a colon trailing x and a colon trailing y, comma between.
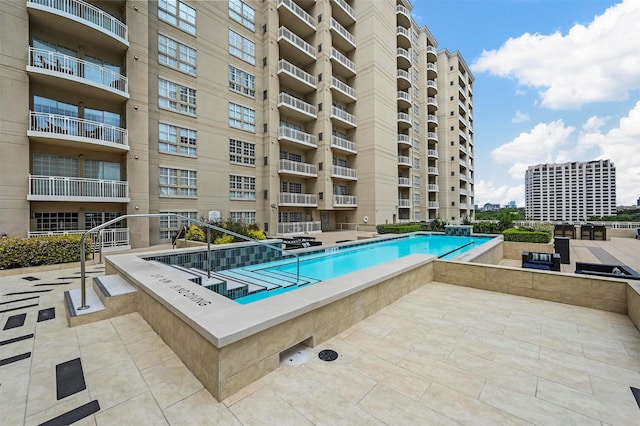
x: 535, y: 147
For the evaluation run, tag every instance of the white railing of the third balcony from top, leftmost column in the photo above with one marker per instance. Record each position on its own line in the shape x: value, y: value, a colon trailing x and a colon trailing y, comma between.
x: 61, y: 126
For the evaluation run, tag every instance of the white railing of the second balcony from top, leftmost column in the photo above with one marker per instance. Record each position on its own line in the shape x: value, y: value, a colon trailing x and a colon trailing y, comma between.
x: 77, y: 69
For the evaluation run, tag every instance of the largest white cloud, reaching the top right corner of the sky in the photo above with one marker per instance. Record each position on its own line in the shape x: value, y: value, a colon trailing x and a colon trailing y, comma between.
x: 593, y: 63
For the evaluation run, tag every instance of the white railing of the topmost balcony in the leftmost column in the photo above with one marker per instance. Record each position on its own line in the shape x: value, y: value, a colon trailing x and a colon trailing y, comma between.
x: 87, y: 14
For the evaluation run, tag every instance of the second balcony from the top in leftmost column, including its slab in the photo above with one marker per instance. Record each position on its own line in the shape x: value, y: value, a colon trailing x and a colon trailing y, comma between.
x: 67, y: 72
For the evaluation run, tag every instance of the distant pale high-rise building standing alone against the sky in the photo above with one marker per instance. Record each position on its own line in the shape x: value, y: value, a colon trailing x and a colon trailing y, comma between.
x: 571, y: 191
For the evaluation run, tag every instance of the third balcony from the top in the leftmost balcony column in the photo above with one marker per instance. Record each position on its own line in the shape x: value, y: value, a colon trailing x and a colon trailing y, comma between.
x: 70, y: 131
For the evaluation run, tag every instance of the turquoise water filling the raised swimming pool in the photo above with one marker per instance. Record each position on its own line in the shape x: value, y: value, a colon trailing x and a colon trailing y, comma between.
x: 333, y: 262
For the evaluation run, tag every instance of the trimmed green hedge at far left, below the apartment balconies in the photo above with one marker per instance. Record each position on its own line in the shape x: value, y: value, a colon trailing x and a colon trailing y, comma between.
x: 24, y: 252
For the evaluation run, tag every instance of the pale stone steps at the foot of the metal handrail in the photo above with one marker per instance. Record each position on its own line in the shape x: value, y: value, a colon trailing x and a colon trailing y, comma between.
x: 108, y: 297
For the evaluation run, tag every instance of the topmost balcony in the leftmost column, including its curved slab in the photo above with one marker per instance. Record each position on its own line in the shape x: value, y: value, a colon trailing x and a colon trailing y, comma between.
x: 78, y: 17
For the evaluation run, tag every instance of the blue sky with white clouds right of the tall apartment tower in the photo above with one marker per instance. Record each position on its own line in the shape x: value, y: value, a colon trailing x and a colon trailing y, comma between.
x: 555, y: 81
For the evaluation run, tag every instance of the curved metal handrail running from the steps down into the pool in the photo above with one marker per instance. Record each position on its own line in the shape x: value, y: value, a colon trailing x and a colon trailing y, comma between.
x: 83, y: 276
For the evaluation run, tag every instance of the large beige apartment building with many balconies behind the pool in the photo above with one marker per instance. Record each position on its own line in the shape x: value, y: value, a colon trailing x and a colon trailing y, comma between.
x: 296, y: 115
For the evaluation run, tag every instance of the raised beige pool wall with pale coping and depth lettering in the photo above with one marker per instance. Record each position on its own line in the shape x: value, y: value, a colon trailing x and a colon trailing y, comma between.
x: 228, y: 346
